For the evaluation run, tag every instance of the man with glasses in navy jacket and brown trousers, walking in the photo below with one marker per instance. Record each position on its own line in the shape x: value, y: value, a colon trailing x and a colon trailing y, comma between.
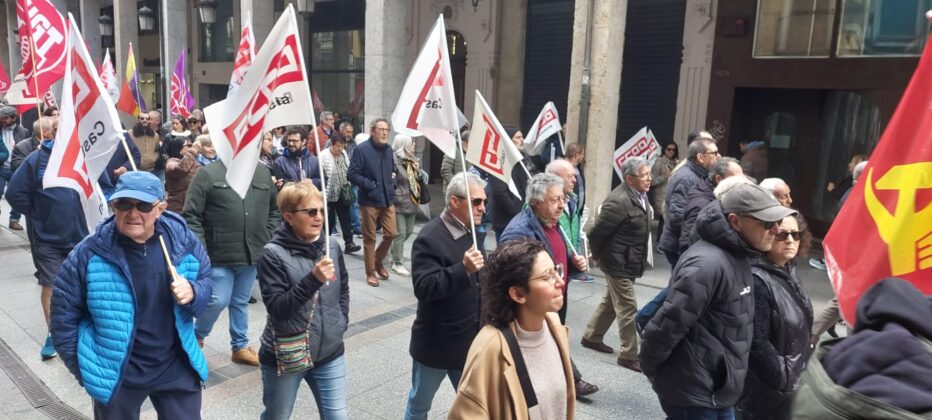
x: 372, y: 170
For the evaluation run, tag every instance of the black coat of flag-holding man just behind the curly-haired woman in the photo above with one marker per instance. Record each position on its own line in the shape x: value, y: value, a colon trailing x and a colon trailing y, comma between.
x: 447, y: 297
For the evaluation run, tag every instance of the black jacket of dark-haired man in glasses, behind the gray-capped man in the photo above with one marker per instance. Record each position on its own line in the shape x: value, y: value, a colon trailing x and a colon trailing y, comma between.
x: 678, y: 188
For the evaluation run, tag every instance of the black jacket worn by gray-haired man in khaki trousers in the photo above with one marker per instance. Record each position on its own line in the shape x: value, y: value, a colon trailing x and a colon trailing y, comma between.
x: 618, y: 237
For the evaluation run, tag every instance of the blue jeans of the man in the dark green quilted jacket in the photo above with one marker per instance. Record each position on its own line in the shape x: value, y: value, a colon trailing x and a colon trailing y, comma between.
x: 232, y: 288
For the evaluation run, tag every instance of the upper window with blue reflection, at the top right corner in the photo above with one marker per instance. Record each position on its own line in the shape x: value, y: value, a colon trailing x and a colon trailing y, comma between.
x: 883, y: 27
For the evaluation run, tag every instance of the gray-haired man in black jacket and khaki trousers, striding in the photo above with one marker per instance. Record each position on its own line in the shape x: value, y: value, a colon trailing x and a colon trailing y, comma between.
x: 619, y: 241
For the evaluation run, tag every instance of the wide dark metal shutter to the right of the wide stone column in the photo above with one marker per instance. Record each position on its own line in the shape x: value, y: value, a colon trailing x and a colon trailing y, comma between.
x: 651, y: 68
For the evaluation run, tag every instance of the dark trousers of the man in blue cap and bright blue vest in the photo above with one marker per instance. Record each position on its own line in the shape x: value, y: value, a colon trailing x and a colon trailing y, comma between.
x: 178, y: 399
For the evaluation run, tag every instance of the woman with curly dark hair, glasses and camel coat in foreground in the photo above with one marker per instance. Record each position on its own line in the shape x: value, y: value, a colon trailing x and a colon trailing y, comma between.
x: 519, y: 364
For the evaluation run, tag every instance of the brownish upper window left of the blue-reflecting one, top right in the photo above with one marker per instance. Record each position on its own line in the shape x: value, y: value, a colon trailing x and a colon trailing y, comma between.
x: 794, y: 28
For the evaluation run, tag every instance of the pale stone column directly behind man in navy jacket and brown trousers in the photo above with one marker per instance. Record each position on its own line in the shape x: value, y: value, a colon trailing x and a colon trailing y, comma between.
x: 386, y: 66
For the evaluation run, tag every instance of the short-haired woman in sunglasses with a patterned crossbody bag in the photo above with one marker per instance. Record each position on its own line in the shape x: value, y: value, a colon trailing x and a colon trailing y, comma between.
x: 306, y: 295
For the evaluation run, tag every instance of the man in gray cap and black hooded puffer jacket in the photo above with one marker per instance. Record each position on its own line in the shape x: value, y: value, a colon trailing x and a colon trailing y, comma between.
x: 695, y: 350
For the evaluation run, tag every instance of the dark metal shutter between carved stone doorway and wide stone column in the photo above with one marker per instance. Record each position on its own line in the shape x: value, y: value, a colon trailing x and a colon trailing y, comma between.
x: 548, y: 46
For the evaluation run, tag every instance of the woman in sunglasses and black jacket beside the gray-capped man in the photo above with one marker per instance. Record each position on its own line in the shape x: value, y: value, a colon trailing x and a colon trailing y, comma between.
x: 782, y: 321
